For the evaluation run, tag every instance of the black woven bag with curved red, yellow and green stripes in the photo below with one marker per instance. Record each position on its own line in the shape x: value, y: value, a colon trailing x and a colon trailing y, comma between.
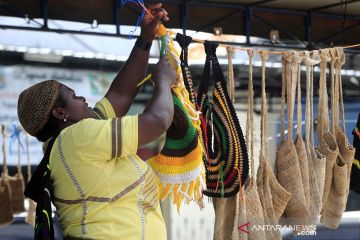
x: 227, y: 166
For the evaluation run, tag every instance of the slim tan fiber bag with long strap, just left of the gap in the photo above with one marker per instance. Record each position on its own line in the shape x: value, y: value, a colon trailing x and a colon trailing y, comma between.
x: 265, y: 170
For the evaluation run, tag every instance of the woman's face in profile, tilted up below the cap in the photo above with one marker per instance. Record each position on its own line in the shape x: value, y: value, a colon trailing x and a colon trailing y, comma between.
x: 76, y: 108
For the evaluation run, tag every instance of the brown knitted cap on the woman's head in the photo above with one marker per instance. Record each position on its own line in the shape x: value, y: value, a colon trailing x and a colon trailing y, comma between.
x: 35, y: 104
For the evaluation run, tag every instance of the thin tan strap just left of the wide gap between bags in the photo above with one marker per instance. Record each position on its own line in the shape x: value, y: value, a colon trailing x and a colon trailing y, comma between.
x: 264, y: 115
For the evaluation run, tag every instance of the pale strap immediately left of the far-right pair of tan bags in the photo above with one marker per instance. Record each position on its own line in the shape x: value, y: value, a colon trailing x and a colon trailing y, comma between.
x: 309, y: 63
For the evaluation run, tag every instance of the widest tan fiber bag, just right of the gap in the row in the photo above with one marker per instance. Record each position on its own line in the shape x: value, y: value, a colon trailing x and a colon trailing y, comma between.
x: 287, y: 163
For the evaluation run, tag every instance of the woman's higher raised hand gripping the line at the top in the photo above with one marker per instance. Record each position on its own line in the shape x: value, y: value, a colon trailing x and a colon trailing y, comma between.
x: 150, y: 24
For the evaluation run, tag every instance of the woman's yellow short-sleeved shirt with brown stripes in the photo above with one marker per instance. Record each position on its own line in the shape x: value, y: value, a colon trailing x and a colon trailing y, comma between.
x: 101, y: 188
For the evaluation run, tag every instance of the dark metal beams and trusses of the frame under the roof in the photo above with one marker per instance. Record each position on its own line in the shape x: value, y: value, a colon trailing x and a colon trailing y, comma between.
x: 249, y: 11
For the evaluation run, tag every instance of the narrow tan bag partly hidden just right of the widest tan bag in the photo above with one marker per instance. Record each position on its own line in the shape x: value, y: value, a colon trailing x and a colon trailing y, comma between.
x: 300, y: 144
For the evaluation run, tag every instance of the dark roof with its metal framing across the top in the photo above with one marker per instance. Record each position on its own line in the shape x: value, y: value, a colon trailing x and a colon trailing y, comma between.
x: 301, y: 23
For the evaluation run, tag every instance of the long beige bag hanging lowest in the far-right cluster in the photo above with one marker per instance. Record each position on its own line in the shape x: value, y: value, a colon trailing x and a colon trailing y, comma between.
x: 336, y: 203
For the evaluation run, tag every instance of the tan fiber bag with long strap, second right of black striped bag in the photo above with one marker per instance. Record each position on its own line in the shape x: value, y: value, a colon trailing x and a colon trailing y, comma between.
x: 254, y: 211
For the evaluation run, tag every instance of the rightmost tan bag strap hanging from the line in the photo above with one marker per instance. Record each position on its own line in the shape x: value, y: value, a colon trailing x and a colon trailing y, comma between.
x: 340, y: 61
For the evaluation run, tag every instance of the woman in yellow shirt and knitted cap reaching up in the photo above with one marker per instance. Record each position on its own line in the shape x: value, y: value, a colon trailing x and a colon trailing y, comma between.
x: 100, y: 187
